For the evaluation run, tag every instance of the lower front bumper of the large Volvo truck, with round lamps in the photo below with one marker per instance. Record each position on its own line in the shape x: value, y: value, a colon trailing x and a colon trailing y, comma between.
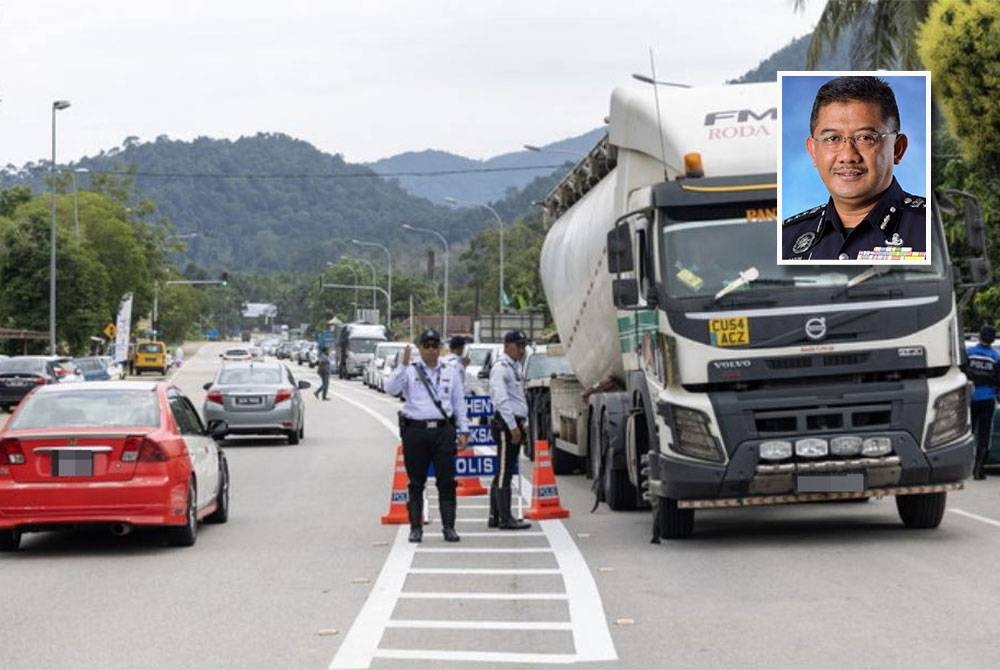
x: 746, y: 477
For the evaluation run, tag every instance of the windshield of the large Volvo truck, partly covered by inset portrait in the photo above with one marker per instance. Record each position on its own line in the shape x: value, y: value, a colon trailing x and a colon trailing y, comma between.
x: 700, y: 258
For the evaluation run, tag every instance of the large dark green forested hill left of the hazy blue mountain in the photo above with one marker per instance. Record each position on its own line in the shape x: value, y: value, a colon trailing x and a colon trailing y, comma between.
x: 267, y: 202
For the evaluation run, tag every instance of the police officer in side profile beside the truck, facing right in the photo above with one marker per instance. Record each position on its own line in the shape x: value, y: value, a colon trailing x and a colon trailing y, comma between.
x: 510, y: 411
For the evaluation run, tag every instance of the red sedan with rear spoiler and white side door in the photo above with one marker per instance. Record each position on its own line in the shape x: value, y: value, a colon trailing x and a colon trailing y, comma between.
x: 119, y: 454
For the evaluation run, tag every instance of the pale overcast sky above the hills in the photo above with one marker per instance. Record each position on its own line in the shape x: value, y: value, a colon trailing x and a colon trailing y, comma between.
x: 364, y: 78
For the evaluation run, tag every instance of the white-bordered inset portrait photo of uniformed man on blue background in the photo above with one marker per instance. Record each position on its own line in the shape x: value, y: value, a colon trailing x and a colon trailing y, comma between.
x: 854, y: 168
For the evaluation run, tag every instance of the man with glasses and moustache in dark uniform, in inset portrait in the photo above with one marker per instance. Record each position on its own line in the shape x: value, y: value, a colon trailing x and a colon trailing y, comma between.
x: 854, y: 142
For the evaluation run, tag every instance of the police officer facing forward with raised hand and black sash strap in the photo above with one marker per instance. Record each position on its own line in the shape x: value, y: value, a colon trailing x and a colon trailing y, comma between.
x: 433, y: 413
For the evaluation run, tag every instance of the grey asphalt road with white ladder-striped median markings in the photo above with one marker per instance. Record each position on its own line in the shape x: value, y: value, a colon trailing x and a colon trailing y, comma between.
x: 305, y: 576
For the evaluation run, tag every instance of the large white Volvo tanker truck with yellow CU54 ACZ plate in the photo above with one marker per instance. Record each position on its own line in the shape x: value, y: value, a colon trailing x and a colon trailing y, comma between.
x: 715, y: 377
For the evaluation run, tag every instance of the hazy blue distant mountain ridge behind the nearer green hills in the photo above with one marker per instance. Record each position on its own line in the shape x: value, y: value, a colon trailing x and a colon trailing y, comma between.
x: 476, y: 183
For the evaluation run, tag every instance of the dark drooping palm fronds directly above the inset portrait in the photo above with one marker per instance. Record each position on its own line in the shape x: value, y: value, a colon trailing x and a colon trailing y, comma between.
x: 884, y: 32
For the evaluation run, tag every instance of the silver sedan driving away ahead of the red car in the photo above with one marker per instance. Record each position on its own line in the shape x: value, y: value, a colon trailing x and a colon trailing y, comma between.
x: 257, y: 399
